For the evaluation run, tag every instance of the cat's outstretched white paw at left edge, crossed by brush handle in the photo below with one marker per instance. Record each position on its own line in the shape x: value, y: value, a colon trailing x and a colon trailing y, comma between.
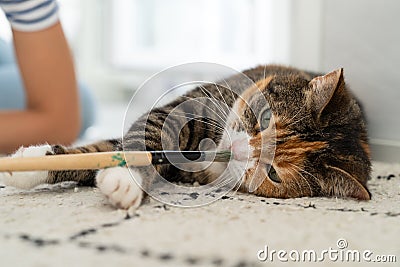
x: 27, y: 180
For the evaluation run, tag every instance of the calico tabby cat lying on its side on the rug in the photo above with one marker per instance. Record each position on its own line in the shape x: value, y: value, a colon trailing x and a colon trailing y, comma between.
x: 314, y: 123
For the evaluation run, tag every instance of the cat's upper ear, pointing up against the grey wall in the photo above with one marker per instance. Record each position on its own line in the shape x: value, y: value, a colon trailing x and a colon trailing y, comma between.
x: 323, y: 88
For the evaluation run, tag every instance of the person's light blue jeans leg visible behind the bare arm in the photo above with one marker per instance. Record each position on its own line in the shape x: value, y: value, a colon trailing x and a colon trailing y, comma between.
x: 12, y: 96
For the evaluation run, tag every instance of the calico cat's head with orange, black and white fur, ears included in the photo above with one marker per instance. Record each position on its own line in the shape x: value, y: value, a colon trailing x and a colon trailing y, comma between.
x: 288, y: 136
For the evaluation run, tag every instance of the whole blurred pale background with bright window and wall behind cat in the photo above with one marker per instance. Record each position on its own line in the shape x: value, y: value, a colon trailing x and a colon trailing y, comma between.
x: 118, y: 44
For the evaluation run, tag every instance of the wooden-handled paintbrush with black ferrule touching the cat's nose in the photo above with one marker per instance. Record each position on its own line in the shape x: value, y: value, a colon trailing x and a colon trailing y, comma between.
x: 102, y: 160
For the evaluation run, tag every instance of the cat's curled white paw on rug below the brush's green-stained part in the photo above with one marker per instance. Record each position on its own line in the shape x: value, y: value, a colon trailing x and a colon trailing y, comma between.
x: 120, y: 188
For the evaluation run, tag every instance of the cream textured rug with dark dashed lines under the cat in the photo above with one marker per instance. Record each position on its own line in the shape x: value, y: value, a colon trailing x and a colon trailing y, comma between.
x: 62, y: 225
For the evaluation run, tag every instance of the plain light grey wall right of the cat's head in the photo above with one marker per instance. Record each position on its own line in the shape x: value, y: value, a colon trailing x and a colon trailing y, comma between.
x: 368, y: 46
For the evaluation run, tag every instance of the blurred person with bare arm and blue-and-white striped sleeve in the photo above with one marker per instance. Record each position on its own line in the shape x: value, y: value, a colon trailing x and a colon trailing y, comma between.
x: 51, y: 111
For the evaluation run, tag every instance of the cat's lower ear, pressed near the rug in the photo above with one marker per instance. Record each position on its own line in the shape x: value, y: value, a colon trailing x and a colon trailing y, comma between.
x: 343, y: 184
